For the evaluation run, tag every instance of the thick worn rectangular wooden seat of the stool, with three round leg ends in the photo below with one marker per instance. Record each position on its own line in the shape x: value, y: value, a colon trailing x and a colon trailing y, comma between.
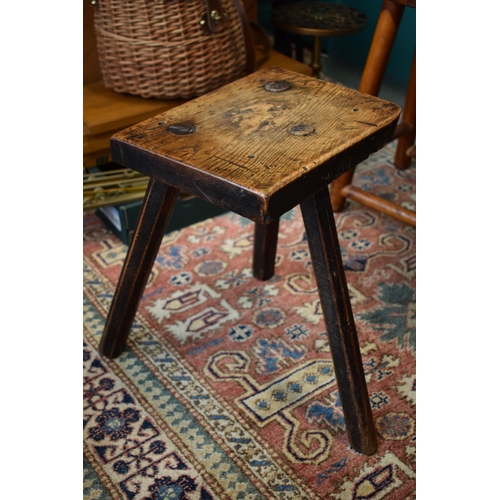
x: 260, y: 145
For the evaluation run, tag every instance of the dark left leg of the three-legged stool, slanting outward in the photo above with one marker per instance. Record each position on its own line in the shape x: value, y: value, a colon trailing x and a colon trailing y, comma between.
x: 157, y: 208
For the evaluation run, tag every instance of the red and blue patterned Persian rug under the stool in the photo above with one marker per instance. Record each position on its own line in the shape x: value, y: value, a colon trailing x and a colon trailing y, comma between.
x: 226, y: 389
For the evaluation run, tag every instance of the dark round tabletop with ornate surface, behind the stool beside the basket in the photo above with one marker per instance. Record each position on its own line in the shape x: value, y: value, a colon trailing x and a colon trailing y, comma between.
x: 318, y: 19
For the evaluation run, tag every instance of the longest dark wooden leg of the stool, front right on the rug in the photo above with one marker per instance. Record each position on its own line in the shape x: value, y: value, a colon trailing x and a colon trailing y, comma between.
x: 341, y: 330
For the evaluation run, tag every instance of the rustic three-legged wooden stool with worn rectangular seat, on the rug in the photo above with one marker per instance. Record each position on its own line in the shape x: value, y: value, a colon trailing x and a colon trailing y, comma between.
x: 259, y: 147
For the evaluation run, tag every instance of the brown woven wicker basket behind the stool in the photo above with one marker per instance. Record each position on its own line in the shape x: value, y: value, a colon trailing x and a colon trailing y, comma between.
x: 163, y: 48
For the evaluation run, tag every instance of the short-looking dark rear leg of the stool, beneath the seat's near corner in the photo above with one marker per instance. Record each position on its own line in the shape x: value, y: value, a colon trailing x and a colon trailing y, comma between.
x: 264, y: 249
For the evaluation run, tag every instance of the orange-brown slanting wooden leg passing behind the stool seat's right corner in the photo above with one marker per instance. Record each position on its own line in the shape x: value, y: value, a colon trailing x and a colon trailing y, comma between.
x: 371, y: 79
